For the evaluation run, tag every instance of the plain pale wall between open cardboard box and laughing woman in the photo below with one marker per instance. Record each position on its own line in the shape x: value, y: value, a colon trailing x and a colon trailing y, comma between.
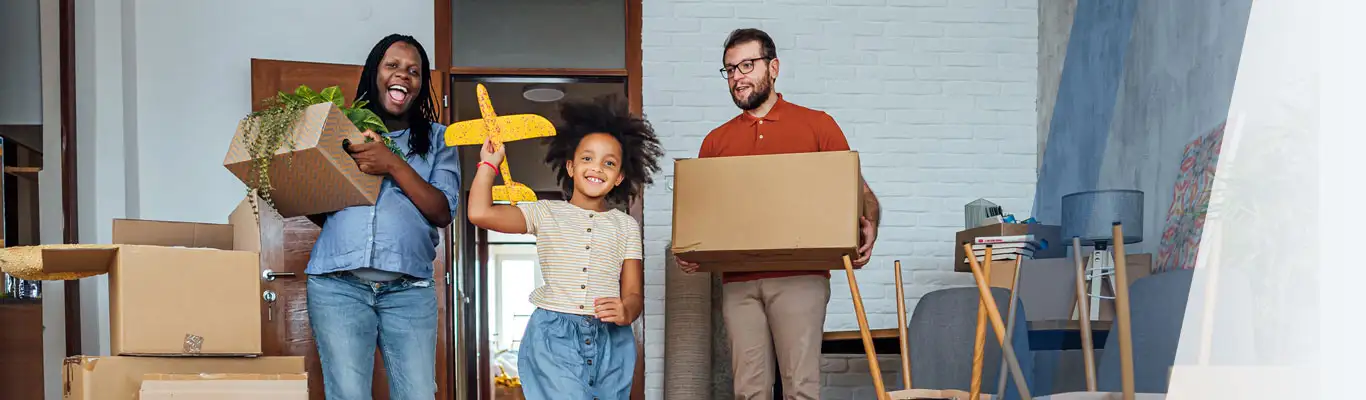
x: 193, y: 76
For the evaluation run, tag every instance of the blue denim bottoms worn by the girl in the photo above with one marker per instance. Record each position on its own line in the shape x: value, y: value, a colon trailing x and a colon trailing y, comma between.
x: 576, y: 357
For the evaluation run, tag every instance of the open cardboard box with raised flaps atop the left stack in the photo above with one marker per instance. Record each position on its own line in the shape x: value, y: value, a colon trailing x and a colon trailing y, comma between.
x: 176, y: 289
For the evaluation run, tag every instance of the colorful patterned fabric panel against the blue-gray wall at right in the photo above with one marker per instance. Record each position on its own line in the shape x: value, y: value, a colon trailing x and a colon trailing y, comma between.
x: 1190, y: 203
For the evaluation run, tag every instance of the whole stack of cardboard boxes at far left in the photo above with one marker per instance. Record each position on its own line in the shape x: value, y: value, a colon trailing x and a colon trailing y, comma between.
x: 184, y: 302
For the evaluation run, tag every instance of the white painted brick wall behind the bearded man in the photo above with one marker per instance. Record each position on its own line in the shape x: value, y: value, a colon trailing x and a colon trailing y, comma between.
x: 938, y: 95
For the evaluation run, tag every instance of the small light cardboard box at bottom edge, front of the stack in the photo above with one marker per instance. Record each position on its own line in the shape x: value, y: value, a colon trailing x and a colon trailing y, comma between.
x: 225, y: 387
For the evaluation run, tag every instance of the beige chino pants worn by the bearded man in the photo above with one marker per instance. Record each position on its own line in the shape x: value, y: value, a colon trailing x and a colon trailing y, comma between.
x: 785, y: 317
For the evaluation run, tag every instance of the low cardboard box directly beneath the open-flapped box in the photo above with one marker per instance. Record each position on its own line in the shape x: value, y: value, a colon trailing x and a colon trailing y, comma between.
x: 122, y: 377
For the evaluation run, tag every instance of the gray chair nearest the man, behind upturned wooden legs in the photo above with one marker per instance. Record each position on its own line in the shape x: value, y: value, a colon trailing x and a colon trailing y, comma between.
x: 942, y: 332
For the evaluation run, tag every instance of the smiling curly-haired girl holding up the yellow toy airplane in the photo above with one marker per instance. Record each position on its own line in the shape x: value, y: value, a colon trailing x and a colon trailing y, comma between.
x: 579, y: 343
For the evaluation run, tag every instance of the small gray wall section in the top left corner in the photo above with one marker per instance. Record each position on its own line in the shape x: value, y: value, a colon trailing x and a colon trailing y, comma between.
x: 21, y: 80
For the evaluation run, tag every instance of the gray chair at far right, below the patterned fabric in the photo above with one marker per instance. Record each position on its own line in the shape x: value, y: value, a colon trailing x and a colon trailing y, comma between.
x: 1158, y: 305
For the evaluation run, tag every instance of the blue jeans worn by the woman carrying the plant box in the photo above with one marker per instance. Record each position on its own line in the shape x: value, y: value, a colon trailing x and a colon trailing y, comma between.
x: 352, y: 316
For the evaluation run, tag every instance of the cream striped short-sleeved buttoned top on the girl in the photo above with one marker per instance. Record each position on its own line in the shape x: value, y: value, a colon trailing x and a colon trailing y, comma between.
x: 581, y: 253
